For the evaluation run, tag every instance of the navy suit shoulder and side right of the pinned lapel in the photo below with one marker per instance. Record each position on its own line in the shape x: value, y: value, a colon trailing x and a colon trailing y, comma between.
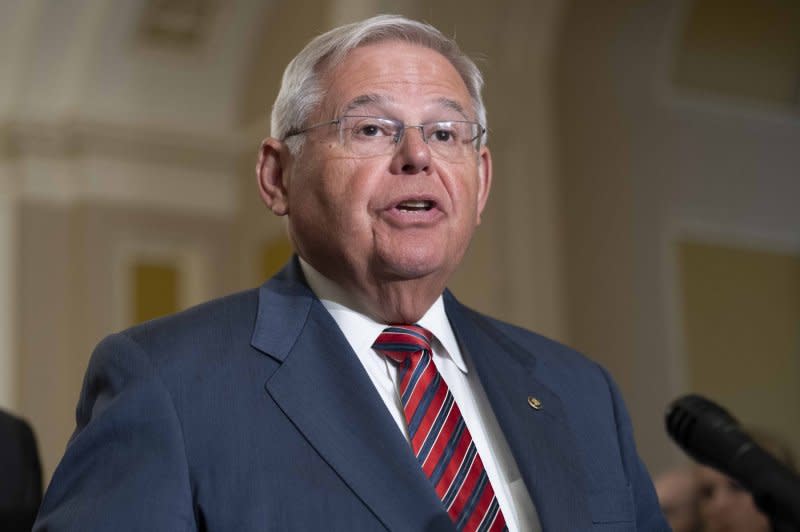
x: 595, y: 412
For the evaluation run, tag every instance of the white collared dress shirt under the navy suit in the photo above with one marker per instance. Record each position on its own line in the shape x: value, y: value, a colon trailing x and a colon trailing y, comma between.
x: 361, y: 332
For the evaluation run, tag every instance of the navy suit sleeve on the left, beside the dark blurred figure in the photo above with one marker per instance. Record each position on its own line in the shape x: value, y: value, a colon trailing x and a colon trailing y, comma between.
x: 125, y: 467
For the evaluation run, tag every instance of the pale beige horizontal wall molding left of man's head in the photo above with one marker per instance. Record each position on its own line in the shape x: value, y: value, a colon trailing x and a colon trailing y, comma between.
x: 69, y: 162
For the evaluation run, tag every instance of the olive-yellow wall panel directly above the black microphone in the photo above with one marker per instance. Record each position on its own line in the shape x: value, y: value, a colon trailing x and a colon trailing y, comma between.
x: 741, y: 311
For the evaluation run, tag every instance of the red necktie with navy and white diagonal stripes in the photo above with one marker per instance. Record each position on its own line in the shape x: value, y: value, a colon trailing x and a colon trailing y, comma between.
x: 439, y: 436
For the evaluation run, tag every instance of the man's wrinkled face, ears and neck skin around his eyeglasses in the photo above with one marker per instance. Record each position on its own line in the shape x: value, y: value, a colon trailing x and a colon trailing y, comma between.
x: 346, y: 214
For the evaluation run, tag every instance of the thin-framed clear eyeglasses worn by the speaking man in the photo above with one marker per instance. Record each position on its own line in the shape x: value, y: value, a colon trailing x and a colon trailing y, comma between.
x: 374, y: 135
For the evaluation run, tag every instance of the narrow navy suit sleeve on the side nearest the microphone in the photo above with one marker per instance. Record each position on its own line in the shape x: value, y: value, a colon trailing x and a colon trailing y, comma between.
x: 648, y: 511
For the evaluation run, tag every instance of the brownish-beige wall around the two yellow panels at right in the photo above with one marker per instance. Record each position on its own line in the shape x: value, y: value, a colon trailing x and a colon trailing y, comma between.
x: 646, y: 163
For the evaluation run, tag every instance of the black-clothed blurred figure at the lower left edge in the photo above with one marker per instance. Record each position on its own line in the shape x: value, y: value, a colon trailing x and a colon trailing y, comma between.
x: 20, y: 475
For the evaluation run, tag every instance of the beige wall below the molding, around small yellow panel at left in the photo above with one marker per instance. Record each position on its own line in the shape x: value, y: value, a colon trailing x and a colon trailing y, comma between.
x: 74, y: 288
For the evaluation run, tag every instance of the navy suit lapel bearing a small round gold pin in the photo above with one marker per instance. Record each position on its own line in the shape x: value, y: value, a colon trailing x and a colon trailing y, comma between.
x: 540, y: 440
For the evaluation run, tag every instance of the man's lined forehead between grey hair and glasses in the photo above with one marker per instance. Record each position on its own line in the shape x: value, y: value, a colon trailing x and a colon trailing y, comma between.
x: 395, y: 74
